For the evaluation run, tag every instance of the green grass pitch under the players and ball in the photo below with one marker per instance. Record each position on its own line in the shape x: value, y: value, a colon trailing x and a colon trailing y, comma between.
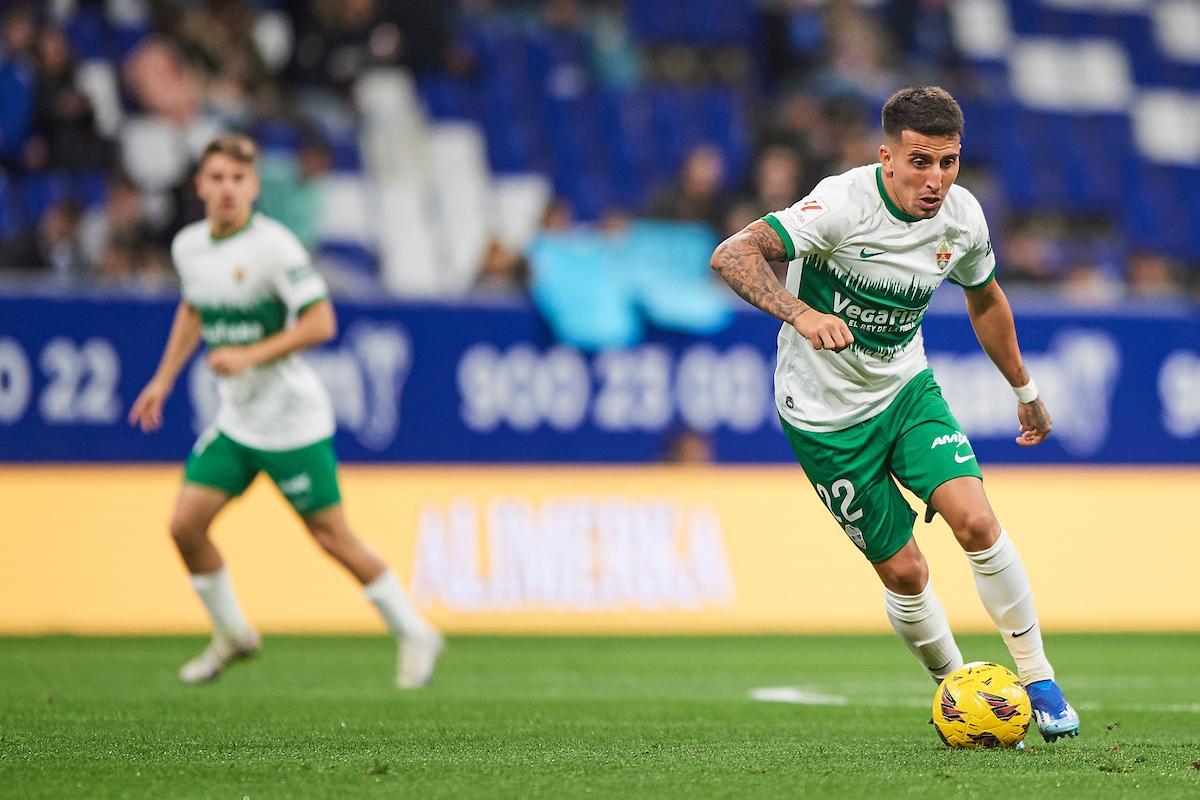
x: 575, y: 718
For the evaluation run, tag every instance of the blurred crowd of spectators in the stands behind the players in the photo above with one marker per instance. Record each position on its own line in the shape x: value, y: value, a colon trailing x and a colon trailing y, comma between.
x: 112, y: 200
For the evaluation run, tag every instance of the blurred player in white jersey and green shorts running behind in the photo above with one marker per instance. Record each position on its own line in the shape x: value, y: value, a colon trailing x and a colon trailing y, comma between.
x: 251, y: 293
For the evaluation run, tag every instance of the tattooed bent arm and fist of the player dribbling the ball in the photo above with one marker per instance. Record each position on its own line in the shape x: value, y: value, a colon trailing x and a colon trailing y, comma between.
x: 742, y: 262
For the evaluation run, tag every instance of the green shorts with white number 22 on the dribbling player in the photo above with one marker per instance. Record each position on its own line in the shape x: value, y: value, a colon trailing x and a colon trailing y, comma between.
x: 916, y: 440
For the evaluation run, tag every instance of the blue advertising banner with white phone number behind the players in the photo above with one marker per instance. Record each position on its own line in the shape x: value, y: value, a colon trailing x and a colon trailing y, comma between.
x: 433, y: 383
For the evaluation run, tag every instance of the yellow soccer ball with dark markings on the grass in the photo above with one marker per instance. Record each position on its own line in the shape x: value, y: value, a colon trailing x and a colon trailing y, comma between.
x: 982, y: 706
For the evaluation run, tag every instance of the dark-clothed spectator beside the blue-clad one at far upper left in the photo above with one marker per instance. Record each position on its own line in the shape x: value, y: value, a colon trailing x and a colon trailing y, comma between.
x: 65, y: 134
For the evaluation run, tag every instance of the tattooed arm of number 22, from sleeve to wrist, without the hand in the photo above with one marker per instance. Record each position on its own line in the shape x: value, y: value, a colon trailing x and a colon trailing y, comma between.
x: 742, y: 262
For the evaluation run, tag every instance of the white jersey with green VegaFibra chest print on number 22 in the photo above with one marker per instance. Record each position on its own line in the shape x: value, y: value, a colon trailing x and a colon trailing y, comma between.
x: 856, y: 255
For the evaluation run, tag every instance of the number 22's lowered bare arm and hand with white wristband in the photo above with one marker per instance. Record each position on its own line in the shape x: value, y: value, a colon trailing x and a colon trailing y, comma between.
x: 992, y: 318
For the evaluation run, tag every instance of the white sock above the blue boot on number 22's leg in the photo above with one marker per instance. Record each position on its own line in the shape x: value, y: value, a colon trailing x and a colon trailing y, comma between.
x: 1005, y: 590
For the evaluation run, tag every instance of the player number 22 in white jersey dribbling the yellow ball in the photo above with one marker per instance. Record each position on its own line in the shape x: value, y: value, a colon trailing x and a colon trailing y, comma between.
x: 860, y: 406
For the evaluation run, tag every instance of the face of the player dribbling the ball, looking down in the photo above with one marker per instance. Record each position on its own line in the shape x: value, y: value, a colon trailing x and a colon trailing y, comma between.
x: 919, y: 171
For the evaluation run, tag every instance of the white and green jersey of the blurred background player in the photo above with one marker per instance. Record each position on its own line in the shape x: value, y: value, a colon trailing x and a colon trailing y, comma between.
x: 247, y: 287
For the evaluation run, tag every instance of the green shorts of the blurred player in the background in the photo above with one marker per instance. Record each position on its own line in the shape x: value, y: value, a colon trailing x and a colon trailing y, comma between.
x: 307, y: 477
